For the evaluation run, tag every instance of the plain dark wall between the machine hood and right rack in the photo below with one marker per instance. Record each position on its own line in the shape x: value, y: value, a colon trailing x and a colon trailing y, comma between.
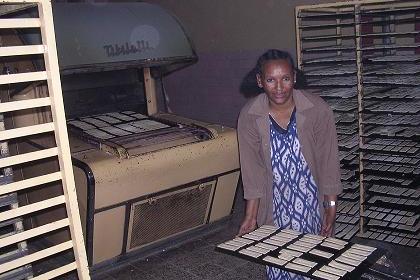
x: 228, y: 35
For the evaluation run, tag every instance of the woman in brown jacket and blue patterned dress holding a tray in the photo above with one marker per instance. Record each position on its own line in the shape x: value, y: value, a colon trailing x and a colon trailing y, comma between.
x: 289, y: 155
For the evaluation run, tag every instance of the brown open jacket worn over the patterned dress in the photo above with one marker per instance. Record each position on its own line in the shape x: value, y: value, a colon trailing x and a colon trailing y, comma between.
x: 317, y: 136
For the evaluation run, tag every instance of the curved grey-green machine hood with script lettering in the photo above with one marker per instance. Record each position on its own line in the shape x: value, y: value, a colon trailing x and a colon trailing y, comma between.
x: 109, y: 36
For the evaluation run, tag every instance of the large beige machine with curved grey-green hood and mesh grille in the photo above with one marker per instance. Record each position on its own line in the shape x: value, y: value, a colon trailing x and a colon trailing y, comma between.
x: 142, y: 175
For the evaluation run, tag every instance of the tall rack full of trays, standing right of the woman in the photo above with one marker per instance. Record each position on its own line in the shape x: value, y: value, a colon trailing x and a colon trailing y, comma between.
x: 363, y: 58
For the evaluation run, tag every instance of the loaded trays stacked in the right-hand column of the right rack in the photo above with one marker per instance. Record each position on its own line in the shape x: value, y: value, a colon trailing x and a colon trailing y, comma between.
x: 391, y: 150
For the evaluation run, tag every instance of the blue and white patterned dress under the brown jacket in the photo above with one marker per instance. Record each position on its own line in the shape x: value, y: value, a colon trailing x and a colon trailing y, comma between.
x: 295, y: 194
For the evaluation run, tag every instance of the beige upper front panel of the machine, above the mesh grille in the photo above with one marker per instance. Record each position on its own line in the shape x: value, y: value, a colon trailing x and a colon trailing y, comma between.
x: 118, y: 180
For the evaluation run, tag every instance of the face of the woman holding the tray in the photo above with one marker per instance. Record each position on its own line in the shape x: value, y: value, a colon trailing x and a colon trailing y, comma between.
x: 277, y: 79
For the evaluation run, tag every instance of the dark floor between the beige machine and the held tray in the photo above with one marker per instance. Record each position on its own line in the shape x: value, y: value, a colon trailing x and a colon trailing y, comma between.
x: 192, y: 261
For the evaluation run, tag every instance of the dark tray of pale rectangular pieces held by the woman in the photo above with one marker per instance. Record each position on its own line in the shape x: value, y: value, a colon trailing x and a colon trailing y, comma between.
x: 310, y: 255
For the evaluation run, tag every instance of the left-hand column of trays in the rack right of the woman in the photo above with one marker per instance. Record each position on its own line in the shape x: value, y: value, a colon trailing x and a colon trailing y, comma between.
x: 328, y: 60
